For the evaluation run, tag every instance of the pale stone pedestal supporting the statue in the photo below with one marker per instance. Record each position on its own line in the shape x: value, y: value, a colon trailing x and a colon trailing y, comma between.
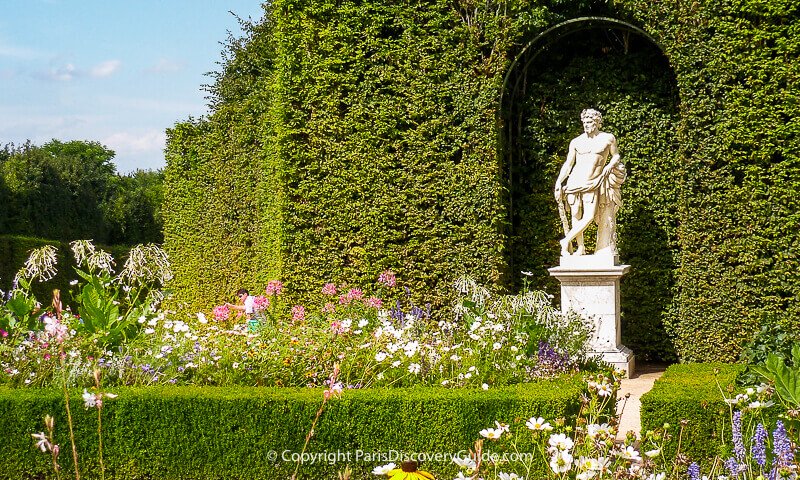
x: 590, y: 287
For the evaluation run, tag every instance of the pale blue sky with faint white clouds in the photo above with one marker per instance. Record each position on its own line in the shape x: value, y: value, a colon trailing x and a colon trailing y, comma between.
x: 119, y: 72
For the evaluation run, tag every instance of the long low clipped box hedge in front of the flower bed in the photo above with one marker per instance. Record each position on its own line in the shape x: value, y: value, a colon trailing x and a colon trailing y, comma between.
x: 210, y: 432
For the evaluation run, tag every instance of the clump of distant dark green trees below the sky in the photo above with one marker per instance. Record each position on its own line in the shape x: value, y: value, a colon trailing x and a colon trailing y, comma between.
x: 71, y: 190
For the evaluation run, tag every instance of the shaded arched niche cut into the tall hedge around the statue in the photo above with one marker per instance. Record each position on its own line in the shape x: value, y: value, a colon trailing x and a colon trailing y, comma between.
x: 618, y: 68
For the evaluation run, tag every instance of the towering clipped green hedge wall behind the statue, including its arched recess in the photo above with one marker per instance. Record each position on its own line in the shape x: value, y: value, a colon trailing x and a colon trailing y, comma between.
x: 351, y: 137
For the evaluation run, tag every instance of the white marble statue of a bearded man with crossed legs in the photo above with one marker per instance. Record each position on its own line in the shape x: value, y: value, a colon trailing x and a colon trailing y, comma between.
x: 592, y: 191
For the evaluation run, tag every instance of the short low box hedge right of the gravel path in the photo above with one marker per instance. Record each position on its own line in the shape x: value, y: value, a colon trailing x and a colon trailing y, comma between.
x: 689, y: 392
